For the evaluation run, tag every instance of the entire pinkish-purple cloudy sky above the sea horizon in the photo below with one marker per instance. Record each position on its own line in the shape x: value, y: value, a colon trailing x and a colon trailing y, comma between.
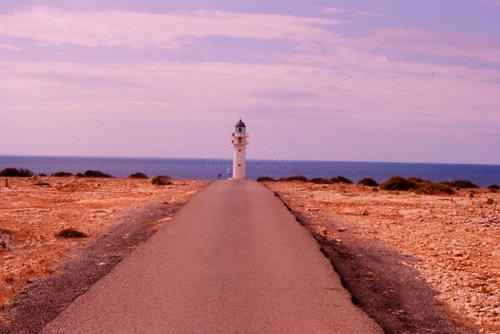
x: 360, y: 80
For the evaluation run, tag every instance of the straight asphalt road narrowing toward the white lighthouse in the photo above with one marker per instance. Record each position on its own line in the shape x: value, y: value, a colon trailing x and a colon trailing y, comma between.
x: 232, y: 261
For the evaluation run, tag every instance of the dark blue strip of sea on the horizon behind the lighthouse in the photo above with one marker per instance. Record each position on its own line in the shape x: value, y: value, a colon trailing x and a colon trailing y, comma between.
x: 209, y: 169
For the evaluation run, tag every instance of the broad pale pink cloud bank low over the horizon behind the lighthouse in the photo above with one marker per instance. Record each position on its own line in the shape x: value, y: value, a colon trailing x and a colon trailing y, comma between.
x: 122, y: 109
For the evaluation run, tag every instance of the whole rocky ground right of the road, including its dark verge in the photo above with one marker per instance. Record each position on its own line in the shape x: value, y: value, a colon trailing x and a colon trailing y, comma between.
x: 415, y: 263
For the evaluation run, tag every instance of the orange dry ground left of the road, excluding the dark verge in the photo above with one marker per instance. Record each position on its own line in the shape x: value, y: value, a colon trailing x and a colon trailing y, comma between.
x: 31, y: 215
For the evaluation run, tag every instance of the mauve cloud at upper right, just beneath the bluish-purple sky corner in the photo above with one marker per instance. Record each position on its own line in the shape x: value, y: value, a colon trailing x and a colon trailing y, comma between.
x: 419, y: 46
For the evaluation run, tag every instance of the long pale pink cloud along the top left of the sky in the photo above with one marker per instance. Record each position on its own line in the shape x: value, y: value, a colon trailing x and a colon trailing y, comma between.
x: 134, y: 29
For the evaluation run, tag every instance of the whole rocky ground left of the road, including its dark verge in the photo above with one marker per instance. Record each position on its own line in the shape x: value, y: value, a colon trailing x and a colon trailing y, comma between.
x: 41, y: 273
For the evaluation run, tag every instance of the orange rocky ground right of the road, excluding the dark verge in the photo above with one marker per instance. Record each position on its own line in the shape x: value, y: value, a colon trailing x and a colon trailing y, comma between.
x: 455, y: 238
